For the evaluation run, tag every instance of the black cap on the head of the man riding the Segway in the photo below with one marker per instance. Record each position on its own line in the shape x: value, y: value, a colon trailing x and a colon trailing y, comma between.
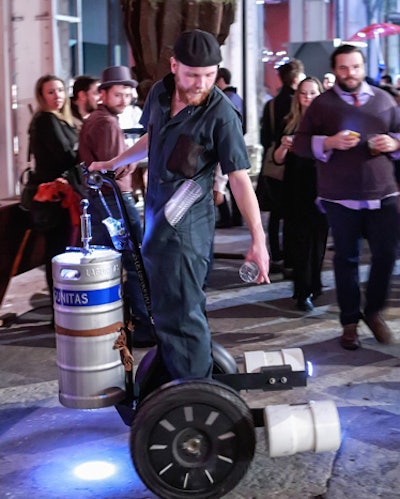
x: 197, y: 49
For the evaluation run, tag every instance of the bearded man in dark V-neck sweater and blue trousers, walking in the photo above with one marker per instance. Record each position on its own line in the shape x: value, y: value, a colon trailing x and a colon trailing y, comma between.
x: 356, y: 186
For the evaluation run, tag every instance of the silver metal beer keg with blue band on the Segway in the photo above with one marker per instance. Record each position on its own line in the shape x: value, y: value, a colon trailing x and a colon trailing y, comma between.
x: 88, y: 314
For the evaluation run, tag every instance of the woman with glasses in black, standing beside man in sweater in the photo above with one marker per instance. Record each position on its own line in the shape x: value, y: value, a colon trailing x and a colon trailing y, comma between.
x: 306, y: 224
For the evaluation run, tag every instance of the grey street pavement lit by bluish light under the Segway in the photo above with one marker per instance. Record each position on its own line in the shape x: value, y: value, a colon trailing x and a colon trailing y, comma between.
x: 41, y: 441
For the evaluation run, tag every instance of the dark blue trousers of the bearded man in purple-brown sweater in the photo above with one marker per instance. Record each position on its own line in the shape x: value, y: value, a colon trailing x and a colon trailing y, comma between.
x: 381, y: 228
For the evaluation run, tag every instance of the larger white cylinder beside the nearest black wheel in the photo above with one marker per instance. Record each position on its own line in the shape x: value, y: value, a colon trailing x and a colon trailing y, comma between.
x: 300, y: 428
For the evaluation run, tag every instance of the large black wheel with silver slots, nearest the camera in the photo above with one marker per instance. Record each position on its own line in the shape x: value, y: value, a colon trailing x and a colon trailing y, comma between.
x: 192, y: 438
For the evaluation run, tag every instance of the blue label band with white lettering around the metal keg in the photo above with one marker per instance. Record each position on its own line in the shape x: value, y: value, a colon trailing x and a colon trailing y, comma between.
x: 89, y: 298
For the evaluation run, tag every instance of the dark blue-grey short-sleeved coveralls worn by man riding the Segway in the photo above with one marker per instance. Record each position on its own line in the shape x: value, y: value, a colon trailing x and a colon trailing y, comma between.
x: 188, y: 145
